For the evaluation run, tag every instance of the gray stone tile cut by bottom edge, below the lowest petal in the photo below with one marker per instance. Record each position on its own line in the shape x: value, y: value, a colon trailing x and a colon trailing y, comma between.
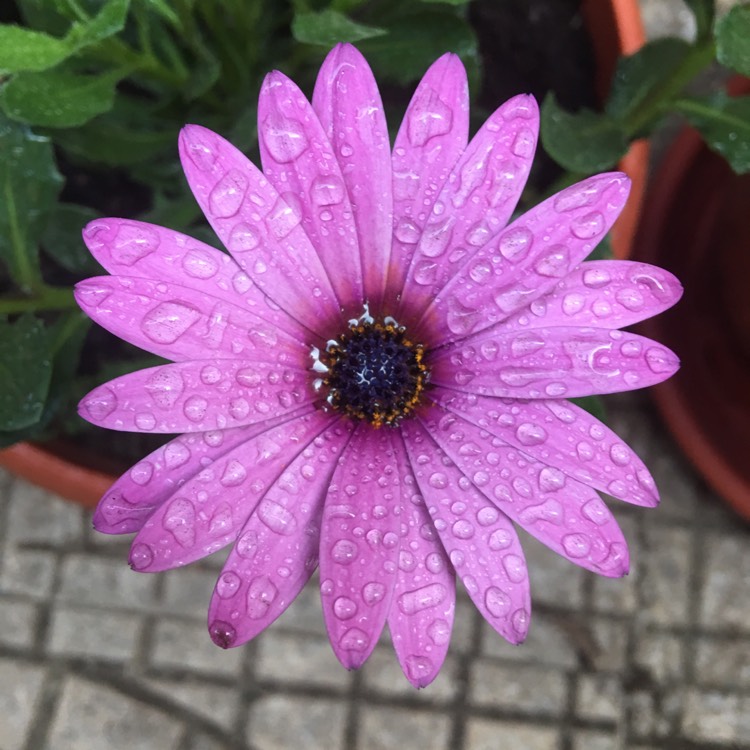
x: 388, y: 728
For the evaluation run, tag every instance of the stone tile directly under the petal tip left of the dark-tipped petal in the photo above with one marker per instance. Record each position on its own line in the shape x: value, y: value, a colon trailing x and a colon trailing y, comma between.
x: 92, y: 579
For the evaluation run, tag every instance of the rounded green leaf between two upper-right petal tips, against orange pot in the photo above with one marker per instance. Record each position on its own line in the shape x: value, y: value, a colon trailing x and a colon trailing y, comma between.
x: 584, y: 142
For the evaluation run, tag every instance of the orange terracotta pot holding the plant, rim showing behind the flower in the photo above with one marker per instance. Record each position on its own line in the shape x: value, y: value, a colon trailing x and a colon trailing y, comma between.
x: 616, y: 28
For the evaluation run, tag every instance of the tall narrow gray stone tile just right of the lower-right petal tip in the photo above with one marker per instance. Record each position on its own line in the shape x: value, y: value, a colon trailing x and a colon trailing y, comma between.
x: 666, y: 576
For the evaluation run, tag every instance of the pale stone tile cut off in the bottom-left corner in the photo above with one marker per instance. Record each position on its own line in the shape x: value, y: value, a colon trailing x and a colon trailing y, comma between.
x: 20, y: 686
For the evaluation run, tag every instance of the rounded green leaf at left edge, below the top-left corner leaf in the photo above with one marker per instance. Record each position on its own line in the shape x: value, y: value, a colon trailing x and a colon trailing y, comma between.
x: 57, y: 98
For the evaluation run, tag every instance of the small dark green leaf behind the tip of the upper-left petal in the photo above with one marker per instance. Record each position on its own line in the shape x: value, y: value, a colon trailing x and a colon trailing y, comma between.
x: 62, y: 239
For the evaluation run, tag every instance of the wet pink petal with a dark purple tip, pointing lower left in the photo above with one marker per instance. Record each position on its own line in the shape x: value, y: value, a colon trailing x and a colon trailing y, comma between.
x: 277, y: 550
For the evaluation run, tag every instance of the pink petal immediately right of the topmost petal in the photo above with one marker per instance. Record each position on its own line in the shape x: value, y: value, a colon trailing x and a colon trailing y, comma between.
x: 432, y: 136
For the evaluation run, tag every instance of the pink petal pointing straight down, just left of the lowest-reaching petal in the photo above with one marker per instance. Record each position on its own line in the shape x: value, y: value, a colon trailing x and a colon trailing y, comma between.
x: 359, y: 545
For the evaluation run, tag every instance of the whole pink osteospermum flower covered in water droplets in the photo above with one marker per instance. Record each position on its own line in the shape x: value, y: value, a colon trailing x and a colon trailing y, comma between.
x: 373, y: 379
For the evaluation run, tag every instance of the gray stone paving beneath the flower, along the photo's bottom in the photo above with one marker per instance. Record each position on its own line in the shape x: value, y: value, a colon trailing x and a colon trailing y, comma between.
x: 96, y: 657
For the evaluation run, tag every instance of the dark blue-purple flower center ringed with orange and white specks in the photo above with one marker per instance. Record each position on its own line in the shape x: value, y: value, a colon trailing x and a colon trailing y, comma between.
x: 373, y: 371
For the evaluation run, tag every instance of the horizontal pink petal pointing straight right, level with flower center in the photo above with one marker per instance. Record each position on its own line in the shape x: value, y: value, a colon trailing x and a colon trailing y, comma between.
x: 553, y: 362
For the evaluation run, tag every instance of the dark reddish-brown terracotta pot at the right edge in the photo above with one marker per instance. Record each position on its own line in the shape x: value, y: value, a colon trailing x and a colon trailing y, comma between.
x: 695, y: 223
